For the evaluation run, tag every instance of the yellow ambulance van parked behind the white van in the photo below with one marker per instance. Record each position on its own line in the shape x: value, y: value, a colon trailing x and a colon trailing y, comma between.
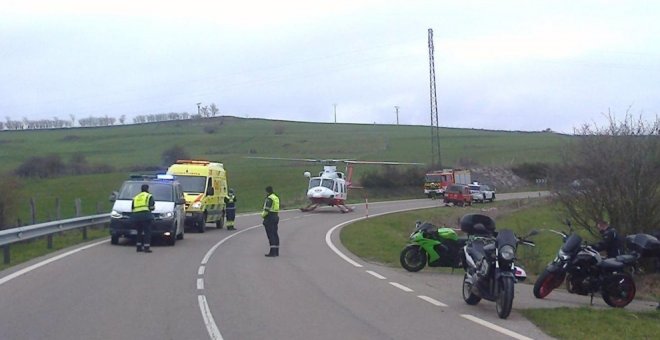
x: 205, y: 188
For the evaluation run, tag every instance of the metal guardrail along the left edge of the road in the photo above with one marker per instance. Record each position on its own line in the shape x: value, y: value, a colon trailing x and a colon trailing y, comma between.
x: 13, y: 235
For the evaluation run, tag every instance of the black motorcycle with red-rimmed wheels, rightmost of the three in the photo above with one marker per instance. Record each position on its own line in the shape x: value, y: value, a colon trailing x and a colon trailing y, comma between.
x: 586, y: 272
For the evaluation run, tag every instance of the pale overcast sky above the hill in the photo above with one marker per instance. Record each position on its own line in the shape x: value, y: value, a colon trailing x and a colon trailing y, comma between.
x: 501, y: 65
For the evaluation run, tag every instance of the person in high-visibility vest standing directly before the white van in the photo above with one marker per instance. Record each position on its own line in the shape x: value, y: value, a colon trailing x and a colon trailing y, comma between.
x: 143, y: 219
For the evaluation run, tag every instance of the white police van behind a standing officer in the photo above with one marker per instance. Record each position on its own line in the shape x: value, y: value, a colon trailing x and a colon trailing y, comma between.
x: 169, y: 212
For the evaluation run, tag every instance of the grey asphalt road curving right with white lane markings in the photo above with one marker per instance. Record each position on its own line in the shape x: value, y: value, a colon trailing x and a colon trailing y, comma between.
x: 218, y: 285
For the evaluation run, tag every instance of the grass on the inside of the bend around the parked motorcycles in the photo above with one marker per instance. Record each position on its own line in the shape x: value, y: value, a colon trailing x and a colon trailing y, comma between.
x: 382, y: 238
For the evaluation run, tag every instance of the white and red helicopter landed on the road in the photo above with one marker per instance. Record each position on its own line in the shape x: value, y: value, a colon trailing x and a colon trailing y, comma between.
x: 330, y: 187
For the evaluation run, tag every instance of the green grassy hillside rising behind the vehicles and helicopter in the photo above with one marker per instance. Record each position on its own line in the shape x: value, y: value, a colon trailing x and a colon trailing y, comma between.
x: 230, y: 140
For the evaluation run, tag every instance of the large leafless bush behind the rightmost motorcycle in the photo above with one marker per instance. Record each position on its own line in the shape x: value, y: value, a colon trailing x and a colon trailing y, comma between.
x: 612, y: 173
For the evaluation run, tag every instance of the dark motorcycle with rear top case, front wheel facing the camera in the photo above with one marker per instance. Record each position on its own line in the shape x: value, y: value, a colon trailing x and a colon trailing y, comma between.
x: 489, y: 263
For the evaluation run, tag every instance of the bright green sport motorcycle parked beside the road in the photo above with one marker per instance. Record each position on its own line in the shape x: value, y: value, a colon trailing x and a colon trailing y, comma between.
x: 437, y: 247
